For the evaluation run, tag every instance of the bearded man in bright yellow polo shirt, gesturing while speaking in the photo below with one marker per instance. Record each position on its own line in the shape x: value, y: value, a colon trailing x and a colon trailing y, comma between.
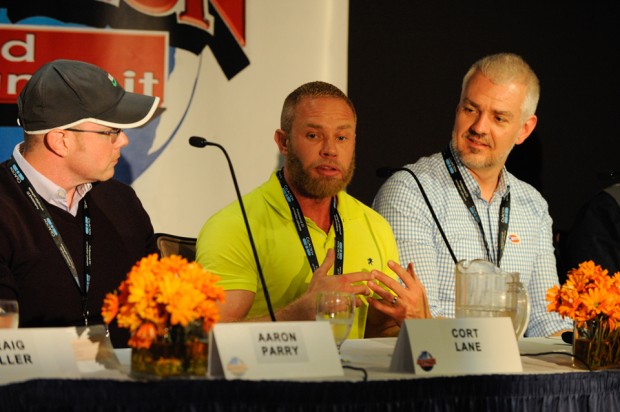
x: 317, y: 140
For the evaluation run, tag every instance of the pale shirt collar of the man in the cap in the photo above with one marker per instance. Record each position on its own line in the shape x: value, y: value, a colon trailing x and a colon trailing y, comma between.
x: 48, y: 190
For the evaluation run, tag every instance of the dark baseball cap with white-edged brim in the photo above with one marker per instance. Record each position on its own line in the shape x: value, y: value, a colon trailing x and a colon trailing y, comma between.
x: 64, y: 93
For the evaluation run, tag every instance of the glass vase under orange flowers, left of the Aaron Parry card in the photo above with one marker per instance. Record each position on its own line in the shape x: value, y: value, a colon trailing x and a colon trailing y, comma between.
x: 180, y: 352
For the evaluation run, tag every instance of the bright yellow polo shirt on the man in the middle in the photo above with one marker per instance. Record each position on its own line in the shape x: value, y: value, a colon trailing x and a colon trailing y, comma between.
x: 223, y: 247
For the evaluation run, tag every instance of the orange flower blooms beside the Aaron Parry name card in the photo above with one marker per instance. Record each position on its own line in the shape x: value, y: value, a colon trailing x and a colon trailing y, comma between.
x: 159, y: 294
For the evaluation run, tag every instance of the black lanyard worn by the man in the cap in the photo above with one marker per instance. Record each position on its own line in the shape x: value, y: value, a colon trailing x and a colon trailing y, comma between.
x: 38, y: 204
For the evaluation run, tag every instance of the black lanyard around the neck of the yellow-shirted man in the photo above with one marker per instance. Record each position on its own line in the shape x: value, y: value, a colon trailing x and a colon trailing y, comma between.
x: 302, y: 228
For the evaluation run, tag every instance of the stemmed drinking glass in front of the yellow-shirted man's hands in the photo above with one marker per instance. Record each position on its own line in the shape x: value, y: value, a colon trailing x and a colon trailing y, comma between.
x: 339, y: 309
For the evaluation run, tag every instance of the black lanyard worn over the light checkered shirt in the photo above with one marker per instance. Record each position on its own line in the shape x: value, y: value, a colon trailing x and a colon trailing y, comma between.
x: 504, y: 212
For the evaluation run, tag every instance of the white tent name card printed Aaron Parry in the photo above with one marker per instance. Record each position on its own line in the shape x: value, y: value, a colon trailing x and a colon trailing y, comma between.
x: 273, y: 350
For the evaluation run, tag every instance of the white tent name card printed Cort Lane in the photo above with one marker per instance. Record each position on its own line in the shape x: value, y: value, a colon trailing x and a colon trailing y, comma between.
x: 457, y: 346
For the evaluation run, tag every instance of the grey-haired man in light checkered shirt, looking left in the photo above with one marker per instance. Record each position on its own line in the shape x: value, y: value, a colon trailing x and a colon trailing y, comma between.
x: 496, y: 111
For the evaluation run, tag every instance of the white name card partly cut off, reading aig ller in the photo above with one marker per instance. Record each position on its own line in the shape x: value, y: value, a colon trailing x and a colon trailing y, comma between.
x: 32, y: 353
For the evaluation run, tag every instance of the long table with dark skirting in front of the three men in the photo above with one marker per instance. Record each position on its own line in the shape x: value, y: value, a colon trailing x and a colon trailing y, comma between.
x: 548, y: 383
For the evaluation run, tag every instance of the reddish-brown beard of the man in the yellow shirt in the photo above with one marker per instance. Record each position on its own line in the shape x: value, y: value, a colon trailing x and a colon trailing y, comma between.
x: 316, y: 187
